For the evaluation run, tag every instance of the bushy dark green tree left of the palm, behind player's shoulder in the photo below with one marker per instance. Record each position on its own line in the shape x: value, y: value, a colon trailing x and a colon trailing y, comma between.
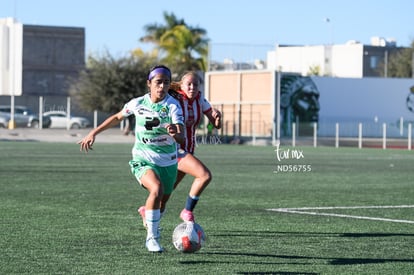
x: 107, y: 83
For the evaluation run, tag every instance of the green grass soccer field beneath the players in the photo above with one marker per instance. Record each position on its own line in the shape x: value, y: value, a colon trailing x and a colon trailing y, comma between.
x: 66, y: 212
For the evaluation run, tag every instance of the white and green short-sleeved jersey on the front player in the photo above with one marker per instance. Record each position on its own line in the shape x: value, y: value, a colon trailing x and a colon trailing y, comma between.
x: 152, y: 142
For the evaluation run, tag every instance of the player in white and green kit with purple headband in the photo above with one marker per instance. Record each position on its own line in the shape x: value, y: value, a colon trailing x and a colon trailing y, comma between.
x: 158, y: 129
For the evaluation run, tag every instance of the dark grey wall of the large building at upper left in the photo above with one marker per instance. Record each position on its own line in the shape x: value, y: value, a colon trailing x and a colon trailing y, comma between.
x: 51, y: 56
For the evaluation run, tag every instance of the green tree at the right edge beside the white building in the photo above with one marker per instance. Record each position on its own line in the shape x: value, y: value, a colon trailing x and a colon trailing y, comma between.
x: 400, y: 63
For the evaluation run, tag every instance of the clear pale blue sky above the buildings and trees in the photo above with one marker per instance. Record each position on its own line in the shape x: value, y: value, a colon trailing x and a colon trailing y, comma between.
x: 247, y: 28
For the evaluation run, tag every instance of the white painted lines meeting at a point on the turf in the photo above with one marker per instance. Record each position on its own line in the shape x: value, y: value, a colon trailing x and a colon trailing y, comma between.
x: 306, y: 211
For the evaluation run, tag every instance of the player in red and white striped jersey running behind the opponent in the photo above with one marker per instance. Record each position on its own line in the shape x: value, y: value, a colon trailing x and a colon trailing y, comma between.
x: 194, y: 106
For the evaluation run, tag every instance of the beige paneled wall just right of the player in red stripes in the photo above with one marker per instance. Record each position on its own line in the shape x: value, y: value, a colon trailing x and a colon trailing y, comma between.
x: 246, y: 99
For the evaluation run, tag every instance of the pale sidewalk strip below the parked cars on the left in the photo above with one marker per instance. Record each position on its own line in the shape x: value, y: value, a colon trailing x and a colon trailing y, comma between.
x: 62, y: 135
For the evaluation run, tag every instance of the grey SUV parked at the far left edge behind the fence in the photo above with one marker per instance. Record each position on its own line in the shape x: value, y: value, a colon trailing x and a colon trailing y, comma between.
x: 23, y: 117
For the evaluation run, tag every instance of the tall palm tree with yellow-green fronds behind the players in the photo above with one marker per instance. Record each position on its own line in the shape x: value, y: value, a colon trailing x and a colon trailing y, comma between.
x: 182, y: 47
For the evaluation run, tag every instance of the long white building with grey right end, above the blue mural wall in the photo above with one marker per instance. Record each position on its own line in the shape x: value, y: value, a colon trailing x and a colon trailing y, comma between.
x: 351, y: 60
